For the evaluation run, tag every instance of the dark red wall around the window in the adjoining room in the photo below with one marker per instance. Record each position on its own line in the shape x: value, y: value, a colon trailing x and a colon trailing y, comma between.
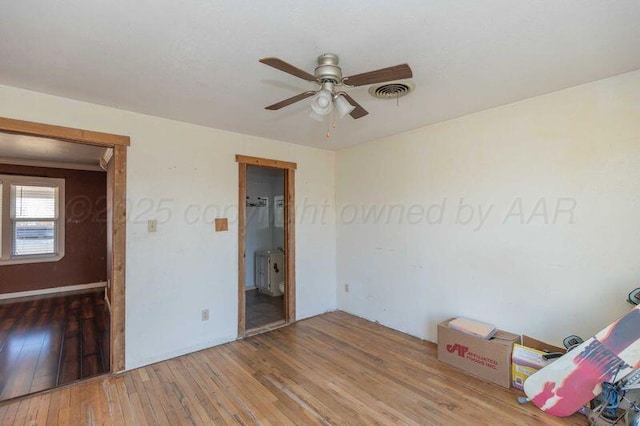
x: 85, y: 259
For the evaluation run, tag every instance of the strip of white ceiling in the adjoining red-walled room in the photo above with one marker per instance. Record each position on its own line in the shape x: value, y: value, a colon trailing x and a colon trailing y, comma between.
x: 35, y: 151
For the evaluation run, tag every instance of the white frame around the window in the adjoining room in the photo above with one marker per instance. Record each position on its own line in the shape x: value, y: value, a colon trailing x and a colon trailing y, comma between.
x: 6, y: 241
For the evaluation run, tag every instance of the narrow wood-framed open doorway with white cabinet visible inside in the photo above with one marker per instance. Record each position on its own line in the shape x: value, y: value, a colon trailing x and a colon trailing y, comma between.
x: 266, y: 249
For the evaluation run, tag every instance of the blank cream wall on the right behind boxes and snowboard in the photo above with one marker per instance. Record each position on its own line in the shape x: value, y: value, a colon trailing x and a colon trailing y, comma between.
x: 556, y: 180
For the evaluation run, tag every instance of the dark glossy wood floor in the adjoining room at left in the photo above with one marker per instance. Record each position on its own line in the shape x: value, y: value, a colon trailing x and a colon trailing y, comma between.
x: 46, y: 342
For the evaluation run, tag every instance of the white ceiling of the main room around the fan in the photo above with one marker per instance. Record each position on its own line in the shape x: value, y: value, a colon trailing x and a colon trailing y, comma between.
x: 197, y: 60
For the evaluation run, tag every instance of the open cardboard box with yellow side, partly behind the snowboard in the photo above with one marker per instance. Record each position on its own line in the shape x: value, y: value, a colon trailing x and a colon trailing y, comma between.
x: 528, y: 357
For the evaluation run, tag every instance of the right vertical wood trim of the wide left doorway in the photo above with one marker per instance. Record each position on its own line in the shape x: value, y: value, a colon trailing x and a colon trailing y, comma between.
x: 117, y: 290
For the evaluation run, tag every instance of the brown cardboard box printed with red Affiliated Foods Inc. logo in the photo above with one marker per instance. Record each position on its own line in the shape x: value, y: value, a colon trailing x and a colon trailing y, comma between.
x: 487, y: 359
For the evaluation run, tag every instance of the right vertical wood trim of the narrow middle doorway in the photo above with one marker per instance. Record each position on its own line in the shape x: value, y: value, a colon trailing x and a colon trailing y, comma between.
x: 290, y: 247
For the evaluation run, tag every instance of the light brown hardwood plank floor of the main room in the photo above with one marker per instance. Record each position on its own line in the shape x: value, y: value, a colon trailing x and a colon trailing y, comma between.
x: 330, y: 369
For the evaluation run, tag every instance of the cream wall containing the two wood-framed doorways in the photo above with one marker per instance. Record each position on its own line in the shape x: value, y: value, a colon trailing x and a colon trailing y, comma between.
x: 184, y: 176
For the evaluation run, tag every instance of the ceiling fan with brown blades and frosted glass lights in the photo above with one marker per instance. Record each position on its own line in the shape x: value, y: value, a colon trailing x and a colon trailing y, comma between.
x: 328, y: 75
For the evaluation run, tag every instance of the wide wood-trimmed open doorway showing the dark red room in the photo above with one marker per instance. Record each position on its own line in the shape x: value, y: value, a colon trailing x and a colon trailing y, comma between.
x: 62, y: 242
